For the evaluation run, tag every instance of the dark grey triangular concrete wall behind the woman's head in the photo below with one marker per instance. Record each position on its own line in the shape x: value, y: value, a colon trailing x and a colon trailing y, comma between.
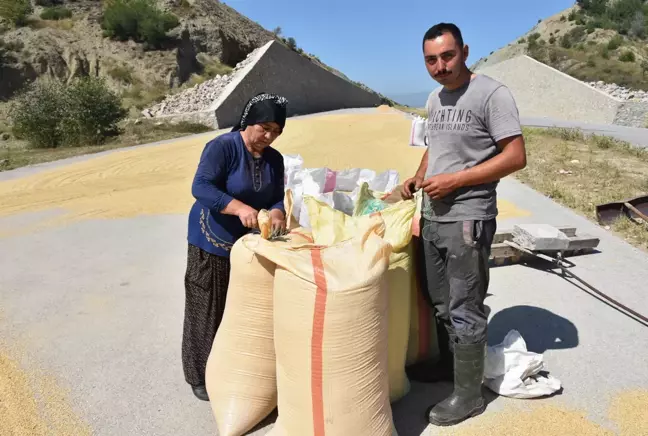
x: 275, y: 68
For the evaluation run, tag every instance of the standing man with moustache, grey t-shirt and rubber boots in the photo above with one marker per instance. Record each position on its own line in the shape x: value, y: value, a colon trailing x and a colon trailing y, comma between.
x: 474, y: 139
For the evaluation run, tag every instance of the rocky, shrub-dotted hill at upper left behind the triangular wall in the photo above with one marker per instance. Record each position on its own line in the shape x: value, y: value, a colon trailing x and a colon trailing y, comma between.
x: 209, y: 40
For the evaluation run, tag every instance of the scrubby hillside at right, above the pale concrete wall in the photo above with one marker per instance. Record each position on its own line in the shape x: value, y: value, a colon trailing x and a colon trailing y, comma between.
x: 594, y: 41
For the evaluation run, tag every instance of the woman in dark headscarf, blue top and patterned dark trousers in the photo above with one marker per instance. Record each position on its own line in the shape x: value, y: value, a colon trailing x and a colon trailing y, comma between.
x: 238, y: 175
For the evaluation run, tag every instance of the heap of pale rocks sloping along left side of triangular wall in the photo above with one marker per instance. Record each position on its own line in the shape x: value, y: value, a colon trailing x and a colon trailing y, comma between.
x: 198, y: 98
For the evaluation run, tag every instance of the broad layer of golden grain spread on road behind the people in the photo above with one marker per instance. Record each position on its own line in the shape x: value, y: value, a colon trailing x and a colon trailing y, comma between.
x: 157, y: 180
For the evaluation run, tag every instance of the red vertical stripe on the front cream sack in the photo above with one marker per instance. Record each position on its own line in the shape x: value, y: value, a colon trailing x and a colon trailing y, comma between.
x: 317, y: 342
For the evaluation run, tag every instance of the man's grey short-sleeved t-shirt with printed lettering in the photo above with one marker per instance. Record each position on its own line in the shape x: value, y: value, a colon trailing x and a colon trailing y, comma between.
x: 462, y: 131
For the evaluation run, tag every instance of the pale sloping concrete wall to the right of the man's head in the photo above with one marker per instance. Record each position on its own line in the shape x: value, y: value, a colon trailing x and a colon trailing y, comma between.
x: 544, y: 92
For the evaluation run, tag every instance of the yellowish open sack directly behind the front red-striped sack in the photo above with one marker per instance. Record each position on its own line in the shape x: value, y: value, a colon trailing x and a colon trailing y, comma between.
x: 330, y: 226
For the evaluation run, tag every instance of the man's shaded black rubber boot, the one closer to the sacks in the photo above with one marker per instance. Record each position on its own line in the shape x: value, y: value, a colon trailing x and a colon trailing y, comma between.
x: 430, y: 371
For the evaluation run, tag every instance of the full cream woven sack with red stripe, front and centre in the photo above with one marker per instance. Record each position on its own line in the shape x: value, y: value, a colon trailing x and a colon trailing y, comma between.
x: 330, y: 328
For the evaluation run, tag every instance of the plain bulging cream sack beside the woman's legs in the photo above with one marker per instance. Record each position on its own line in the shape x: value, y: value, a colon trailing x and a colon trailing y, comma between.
x: 241, y: 368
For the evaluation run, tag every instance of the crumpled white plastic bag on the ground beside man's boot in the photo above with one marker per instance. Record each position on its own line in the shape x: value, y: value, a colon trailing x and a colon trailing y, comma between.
x: 512, y: 371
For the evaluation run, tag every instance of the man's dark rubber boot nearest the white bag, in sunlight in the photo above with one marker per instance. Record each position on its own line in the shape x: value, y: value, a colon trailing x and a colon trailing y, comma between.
x: 467, y: 399
